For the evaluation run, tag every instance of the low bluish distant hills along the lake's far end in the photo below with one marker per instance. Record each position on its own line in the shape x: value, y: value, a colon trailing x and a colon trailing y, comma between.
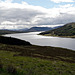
x: 25, y: 30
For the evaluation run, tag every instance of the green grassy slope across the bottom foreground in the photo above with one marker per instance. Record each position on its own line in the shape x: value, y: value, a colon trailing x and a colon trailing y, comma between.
x: 34, y: 66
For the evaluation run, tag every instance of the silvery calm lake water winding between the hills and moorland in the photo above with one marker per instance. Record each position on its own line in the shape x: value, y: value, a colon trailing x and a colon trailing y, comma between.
x: 35, y: 39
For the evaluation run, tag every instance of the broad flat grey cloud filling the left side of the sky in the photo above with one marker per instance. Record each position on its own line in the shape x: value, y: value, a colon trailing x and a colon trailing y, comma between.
x: 18, y: 14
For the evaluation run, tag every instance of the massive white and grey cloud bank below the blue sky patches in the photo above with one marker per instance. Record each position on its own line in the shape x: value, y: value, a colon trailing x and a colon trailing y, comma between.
x: 16, y: 15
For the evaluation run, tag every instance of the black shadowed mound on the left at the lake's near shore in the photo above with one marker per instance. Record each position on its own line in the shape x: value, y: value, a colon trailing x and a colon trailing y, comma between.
x: 13, y: 41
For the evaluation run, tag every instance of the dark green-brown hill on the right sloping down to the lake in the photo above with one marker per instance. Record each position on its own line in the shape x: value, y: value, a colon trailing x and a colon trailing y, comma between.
x: 68, y: 30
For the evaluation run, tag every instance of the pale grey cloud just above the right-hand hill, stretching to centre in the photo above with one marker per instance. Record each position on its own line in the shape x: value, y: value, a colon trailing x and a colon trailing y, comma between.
x: 61, y: 19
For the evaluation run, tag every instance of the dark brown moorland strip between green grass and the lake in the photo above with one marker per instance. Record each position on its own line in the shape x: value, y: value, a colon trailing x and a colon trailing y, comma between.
x: 43, y: 52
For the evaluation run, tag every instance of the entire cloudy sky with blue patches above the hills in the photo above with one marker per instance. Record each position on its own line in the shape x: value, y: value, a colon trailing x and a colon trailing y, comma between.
x: 18, y: 14
